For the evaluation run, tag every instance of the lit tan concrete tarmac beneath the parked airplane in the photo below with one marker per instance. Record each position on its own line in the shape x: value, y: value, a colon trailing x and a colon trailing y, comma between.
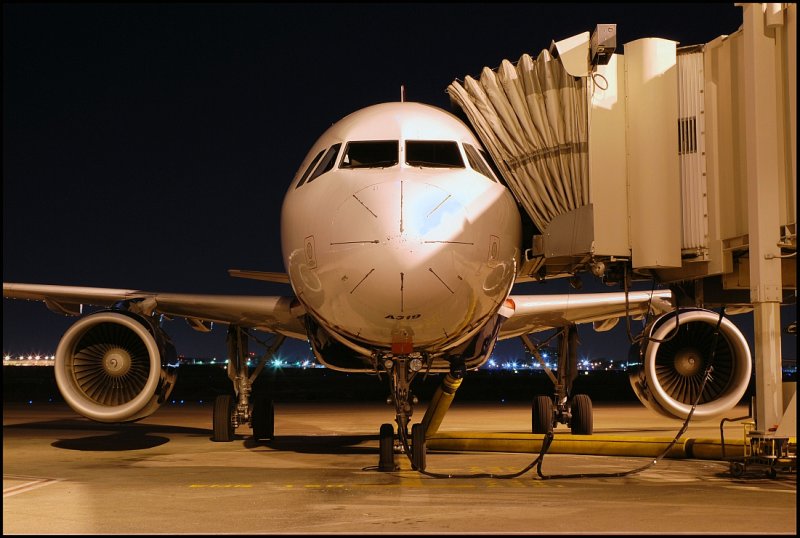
x: 63, y: 474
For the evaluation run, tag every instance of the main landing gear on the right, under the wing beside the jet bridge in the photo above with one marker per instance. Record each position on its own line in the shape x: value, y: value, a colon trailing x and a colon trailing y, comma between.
x: 574, y: 411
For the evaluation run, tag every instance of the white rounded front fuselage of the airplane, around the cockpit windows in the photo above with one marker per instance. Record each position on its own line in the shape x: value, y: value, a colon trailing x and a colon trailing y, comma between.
x: 396, y: 234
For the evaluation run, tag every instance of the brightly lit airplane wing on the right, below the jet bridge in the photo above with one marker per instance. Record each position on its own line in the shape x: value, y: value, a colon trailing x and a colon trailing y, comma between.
x: 541, y: 312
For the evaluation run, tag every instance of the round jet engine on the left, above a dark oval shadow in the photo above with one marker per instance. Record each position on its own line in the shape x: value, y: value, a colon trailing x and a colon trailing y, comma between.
x: 111, y: 366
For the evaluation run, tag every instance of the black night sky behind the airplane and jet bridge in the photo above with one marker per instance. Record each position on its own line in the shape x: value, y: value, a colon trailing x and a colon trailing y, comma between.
x: 150, y: 146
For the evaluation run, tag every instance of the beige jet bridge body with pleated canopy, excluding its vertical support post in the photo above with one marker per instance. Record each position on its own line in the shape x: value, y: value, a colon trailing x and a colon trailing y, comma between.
x: 641, y: 158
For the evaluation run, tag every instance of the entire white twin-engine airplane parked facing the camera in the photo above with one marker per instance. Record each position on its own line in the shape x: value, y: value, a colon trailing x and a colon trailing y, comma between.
x: 401, y: 246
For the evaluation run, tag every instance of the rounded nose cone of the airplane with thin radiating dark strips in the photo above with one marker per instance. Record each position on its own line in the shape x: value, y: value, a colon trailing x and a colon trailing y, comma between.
x: 401, y: 249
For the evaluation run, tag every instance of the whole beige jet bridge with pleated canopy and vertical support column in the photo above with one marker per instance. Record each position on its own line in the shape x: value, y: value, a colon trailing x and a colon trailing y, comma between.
x: 672, y: 162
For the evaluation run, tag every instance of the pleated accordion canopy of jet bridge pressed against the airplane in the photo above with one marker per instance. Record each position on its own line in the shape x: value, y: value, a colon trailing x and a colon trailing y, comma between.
x: 532, y: 117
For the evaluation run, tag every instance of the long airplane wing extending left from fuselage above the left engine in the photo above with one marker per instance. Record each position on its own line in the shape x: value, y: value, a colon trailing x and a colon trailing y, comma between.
x: 275, y: 314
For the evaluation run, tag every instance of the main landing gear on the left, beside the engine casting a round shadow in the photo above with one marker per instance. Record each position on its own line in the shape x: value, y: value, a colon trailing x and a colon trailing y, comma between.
x: 255, y: 408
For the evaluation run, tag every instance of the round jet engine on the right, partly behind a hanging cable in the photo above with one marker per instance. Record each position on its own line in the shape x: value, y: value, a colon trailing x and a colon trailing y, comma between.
x: 674, y: 360
